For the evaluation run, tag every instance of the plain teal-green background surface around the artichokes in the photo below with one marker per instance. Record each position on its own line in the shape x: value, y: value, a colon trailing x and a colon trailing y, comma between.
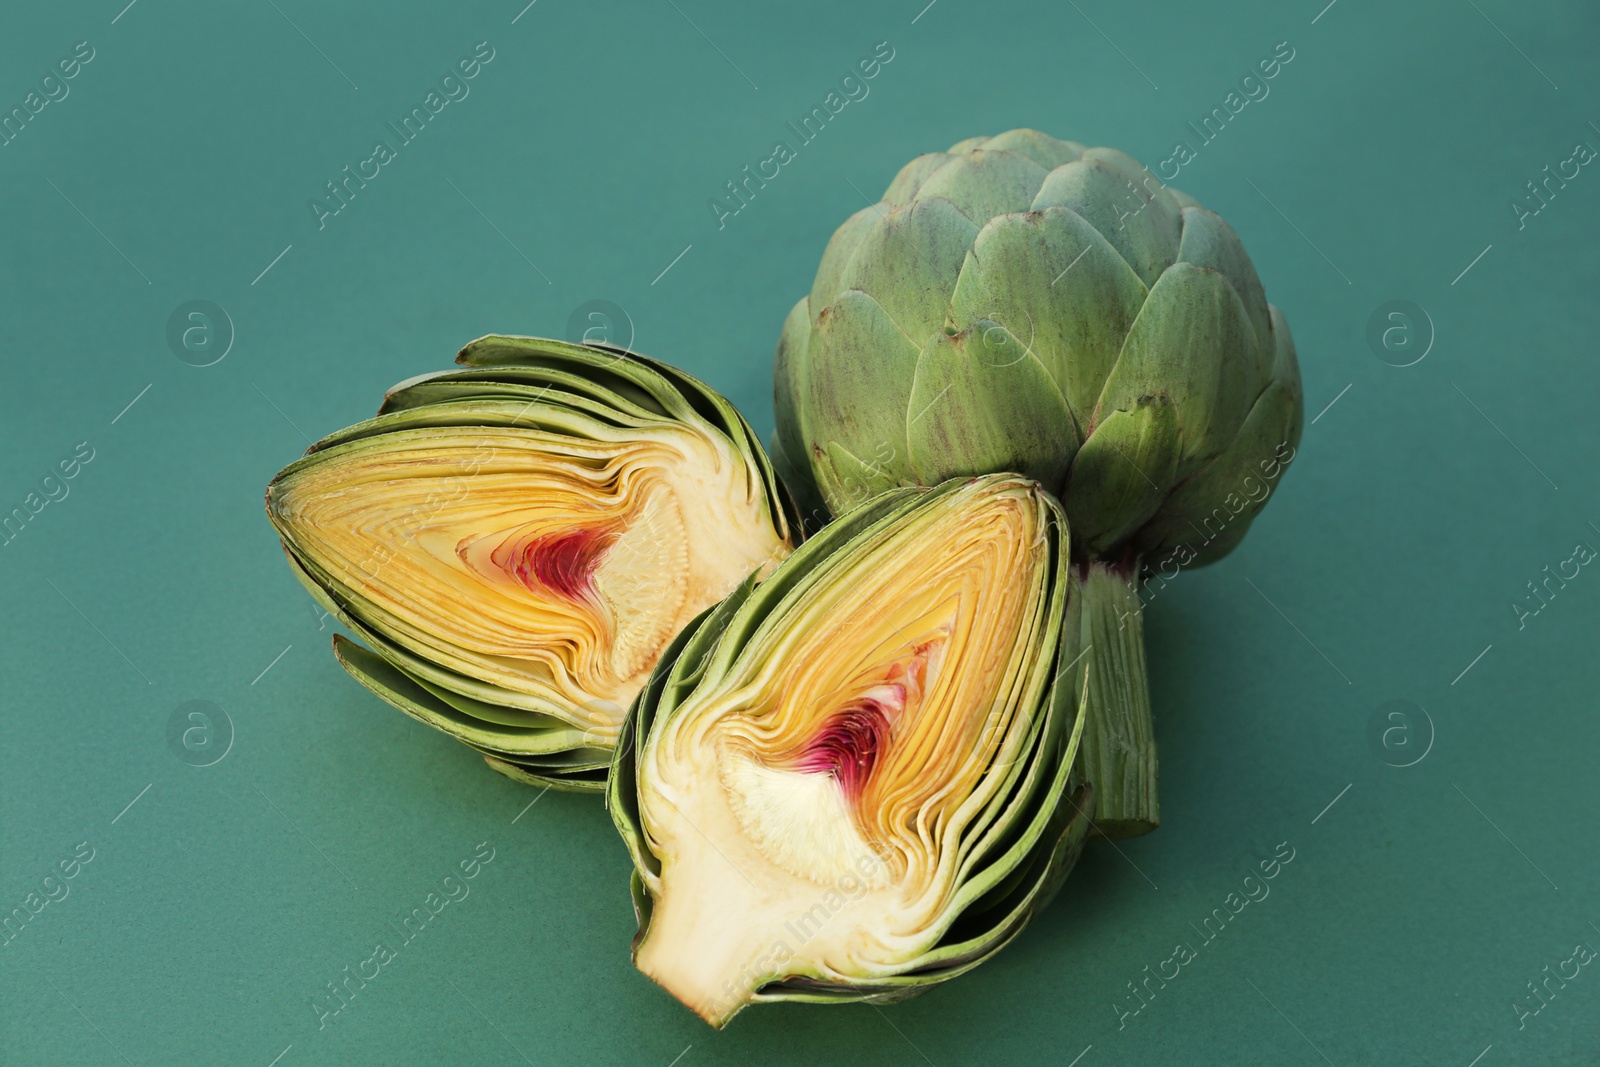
x: 1423, y: 502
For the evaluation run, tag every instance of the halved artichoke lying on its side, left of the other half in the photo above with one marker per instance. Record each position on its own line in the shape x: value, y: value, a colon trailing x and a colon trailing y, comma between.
x: 519, y: 541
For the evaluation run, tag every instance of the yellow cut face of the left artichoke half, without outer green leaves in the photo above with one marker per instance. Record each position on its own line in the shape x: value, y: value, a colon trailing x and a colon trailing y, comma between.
x: 542, y: 564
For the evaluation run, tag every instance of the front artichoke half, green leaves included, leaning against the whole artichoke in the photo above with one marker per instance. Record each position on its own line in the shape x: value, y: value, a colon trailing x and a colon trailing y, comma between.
x: 855, y: 780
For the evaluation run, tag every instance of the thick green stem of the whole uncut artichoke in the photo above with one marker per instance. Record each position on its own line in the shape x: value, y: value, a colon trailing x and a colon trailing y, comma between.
x: 1118, y: 754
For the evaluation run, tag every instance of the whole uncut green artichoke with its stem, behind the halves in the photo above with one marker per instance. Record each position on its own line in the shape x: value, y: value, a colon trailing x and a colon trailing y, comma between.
x: 1030, y: 305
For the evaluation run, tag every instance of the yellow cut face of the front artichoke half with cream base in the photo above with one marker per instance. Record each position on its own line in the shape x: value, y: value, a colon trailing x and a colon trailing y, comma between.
x: 818, y: 809
